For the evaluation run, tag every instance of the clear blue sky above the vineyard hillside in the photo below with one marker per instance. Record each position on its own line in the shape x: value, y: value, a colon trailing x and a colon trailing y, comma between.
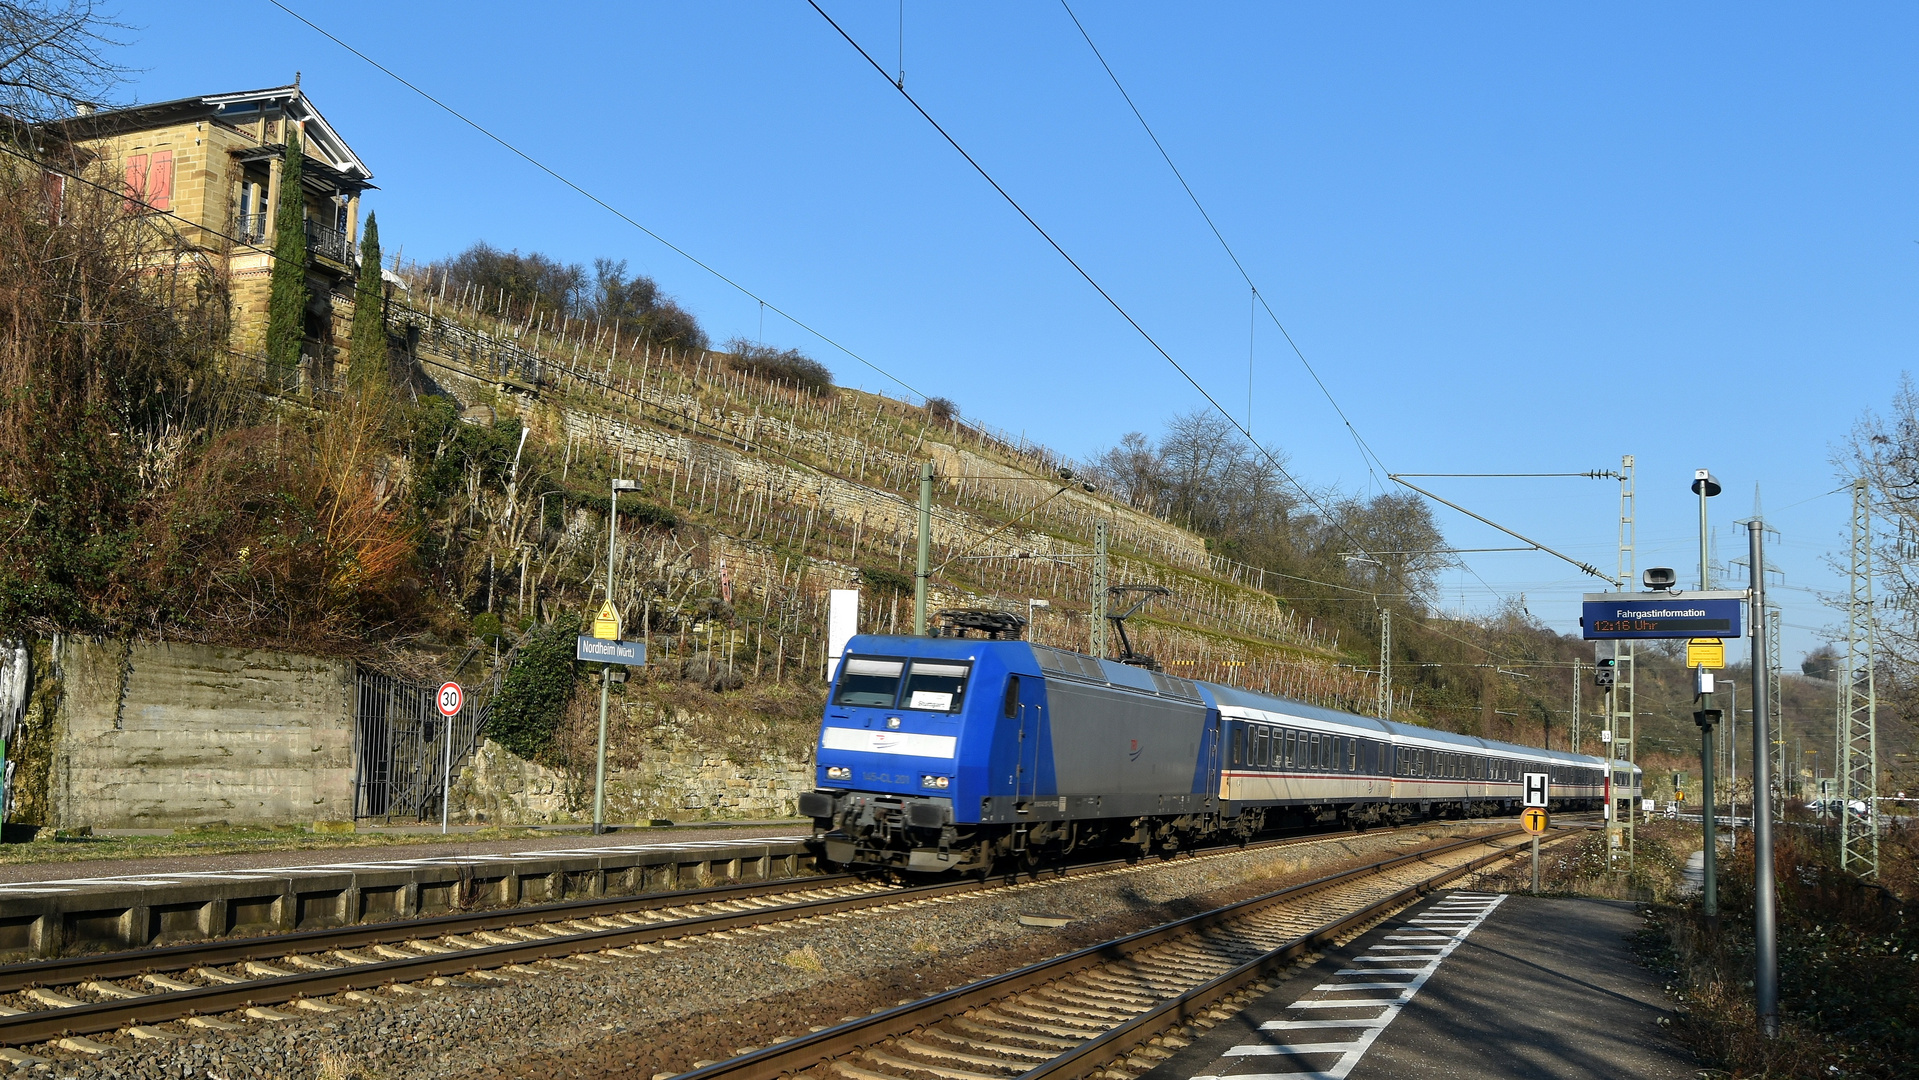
x: 1509, y: 237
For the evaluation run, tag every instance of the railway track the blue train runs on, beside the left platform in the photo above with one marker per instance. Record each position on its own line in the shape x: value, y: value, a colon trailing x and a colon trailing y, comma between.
x: 195, y: 983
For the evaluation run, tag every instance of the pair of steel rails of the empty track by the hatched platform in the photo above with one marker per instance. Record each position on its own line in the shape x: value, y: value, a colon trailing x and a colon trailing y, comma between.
x: 853, y: 1037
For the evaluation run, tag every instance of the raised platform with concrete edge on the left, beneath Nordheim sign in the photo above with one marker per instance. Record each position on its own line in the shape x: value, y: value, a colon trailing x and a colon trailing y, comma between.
x: 199, y: 899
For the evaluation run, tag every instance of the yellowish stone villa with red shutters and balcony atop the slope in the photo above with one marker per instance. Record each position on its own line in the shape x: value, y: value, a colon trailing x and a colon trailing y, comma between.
x: 214, y: 164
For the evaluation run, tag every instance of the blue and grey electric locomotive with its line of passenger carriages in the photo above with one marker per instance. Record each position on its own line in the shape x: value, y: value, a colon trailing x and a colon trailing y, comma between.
x: 949, y: 753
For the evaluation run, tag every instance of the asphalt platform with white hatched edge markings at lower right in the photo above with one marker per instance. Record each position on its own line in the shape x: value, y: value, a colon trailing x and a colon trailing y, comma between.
x: 1467, y: 985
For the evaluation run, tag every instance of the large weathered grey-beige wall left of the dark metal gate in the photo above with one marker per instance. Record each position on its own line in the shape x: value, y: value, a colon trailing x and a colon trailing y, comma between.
x: 168, y: 736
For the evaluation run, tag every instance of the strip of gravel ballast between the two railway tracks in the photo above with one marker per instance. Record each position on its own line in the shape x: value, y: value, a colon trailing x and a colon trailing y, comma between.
x: 723, y: 995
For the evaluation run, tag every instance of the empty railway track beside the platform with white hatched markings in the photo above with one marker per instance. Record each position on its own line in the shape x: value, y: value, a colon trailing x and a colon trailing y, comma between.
x: 1097, y: 1010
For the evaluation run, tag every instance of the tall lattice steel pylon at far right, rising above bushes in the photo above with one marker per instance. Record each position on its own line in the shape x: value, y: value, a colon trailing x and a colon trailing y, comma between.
x: 1859, y: 722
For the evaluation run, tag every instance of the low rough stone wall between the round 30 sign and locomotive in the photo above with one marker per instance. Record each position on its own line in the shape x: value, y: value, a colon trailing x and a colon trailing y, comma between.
x: 673, y: 784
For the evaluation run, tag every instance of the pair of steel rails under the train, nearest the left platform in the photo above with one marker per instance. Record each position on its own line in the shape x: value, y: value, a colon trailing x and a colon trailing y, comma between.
x: 158, y: 1008
